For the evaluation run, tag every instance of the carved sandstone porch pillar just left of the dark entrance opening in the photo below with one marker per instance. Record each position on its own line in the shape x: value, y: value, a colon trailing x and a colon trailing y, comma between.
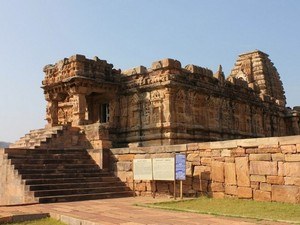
x: 79, y: 109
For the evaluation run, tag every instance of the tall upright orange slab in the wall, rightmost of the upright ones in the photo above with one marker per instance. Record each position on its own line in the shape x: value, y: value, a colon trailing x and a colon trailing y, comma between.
x: 242, y: 171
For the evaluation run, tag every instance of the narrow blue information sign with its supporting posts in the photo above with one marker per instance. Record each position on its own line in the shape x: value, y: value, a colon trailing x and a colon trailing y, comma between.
x: 180, y: 174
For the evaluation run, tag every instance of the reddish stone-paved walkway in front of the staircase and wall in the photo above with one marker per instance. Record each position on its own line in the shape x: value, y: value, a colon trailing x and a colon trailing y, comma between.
x: 120, y: 211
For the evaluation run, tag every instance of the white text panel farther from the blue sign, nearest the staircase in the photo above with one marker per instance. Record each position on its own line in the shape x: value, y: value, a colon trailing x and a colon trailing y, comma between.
x: 142, y: 169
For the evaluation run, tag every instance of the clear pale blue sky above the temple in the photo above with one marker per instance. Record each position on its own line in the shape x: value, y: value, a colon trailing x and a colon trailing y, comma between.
x: 129, y: 33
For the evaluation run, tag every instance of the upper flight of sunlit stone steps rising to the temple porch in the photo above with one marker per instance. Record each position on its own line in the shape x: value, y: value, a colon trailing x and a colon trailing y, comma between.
x: 53, y: 137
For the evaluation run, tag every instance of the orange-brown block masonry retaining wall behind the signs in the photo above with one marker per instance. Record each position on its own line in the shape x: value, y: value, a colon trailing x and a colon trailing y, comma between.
x: 263, y: 169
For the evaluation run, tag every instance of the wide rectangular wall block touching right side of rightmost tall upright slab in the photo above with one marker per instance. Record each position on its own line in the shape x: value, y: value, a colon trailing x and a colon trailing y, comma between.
x: 263, y: 168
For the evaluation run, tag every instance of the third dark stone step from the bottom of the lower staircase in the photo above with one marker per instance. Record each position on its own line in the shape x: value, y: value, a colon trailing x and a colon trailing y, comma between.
x: 52, y: 186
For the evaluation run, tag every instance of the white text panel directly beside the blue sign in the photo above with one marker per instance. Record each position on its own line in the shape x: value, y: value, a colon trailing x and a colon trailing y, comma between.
x: 163, y: 169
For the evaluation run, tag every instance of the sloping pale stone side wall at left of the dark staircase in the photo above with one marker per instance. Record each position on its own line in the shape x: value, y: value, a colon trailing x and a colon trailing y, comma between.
x: 12, y: 189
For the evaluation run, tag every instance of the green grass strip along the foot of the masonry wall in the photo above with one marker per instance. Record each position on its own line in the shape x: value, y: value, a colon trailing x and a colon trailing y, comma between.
x: 236, y: 208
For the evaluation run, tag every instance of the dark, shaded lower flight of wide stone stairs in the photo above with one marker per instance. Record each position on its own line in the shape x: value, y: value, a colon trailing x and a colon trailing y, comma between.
x: 64, y: 175
